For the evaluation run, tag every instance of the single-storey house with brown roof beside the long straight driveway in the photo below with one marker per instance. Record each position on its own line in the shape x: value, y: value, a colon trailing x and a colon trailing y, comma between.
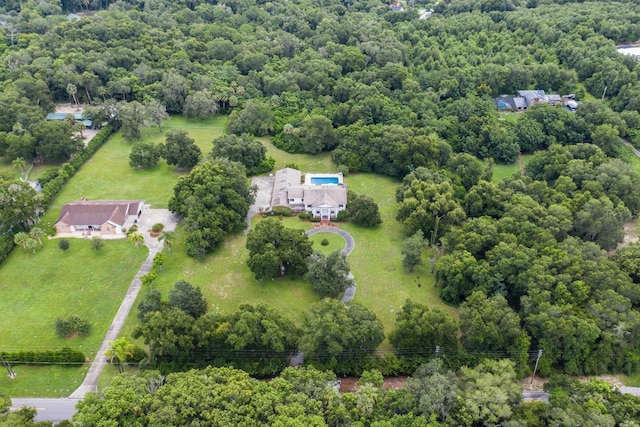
x: 102, y: 217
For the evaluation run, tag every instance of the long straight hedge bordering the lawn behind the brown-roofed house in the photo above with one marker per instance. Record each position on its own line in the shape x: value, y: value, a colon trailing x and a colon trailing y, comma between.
x: 54, y: 181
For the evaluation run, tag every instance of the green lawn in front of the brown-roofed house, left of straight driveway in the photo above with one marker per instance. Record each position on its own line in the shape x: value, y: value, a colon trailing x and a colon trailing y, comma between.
x: 37, y: 289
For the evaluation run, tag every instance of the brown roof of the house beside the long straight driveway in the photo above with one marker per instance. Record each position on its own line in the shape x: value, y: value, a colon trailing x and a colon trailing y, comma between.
x: 98, y: 212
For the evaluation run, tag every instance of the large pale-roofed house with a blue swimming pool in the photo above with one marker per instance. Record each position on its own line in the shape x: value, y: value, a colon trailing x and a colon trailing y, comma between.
x: 322, y: 195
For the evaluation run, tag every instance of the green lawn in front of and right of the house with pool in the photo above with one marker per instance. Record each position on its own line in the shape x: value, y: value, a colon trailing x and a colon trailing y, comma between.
x: 376, y: 263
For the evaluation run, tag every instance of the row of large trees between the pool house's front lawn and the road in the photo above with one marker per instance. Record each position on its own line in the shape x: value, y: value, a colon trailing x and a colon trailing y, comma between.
x: 182, y: 332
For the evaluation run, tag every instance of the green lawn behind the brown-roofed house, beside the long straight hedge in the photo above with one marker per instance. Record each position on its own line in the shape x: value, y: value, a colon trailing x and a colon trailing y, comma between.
x: 107, y: 175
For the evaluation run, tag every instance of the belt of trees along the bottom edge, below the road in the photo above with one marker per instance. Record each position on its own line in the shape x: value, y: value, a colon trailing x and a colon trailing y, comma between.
x: 433, y: 396
